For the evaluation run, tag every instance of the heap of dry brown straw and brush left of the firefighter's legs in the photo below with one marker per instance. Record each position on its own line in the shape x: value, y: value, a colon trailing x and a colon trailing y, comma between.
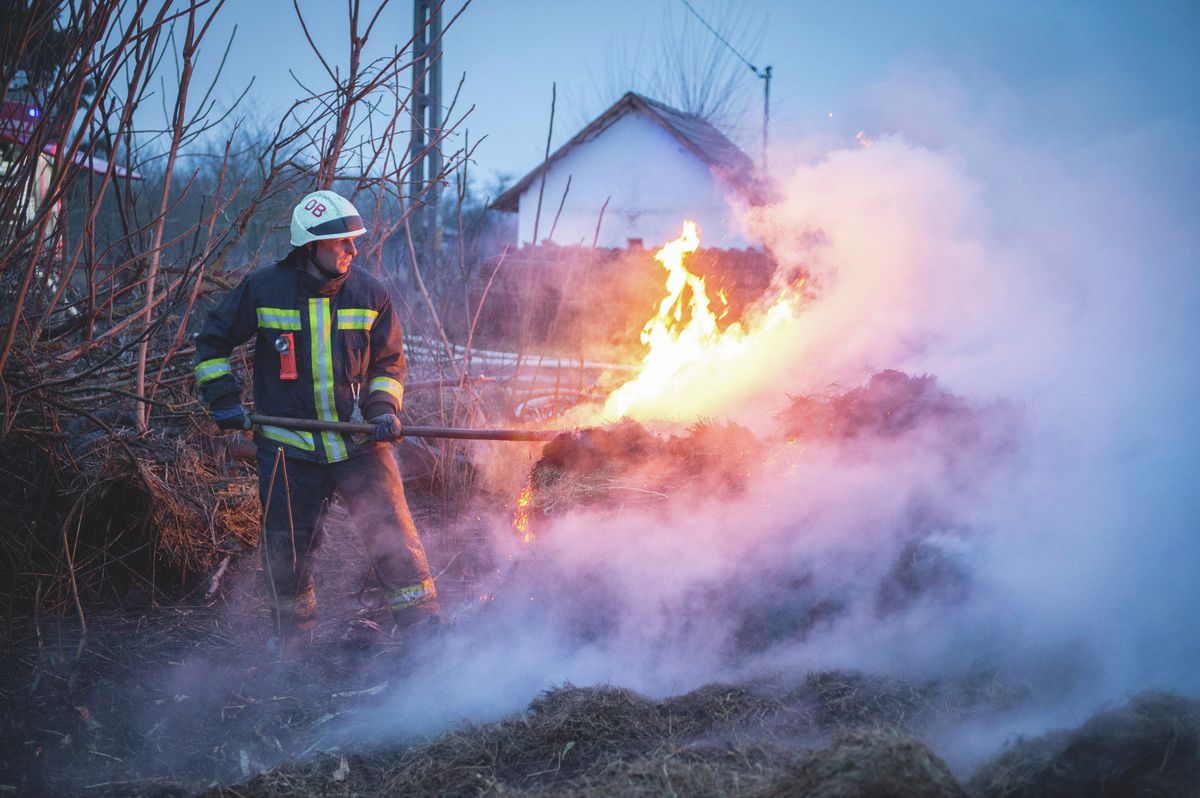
x: 112, y: 517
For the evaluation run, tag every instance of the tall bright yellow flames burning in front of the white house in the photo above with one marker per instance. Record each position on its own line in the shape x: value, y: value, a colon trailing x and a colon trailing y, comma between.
x: 693, y: 368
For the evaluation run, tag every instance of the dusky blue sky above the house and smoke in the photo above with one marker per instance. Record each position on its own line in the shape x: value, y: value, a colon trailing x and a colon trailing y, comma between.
x: 1073, y: 69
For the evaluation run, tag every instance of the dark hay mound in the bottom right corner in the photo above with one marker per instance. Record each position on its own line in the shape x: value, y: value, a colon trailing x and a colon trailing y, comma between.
x: 1151, y: 747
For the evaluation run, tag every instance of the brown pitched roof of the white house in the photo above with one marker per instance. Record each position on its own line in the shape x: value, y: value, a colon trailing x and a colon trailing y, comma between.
x: 697, y: 135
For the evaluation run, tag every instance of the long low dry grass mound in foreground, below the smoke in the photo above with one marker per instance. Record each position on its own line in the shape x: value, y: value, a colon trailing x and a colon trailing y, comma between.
x: 721, y: 740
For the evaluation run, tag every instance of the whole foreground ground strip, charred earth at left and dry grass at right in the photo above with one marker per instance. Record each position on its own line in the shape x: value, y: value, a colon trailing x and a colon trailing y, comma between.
x: 173, y: 703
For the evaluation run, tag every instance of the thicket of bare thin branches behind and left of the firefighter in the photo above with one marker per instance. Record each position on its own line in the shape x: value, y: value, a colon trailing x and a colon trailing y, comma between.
x: 111, y: 238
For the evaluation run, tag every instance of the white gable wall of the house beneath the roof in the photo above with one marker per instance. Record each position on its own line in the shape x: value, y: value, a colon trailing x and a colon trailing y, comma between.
x: 652, y: 184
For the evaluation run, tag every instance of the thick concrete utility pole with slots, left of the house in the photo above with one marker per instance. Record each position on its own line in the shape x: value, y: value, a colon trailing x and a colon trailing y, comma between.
x: 425, y: 146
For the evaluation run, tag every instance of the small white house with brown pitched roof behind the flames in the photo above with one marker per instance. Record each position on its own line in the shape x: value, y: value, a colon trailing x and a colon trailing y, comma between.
x: 634, y: 175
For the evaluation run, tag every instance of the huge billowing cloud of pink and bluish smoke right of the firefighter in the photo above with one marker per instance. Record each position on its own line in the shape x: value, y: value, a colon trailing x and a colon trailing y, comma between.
x: 1009, y: 284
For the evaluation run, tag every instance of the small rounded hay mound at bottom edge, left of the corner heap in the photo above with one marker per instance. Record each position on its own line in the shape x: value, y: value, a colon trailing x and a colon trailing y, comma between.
x: 868, y: 765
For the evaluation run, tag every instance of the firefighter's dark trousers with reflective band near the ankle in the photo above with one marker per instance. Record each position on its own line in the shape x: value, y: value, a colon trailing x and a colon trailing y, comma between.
x: 373, y: 491
